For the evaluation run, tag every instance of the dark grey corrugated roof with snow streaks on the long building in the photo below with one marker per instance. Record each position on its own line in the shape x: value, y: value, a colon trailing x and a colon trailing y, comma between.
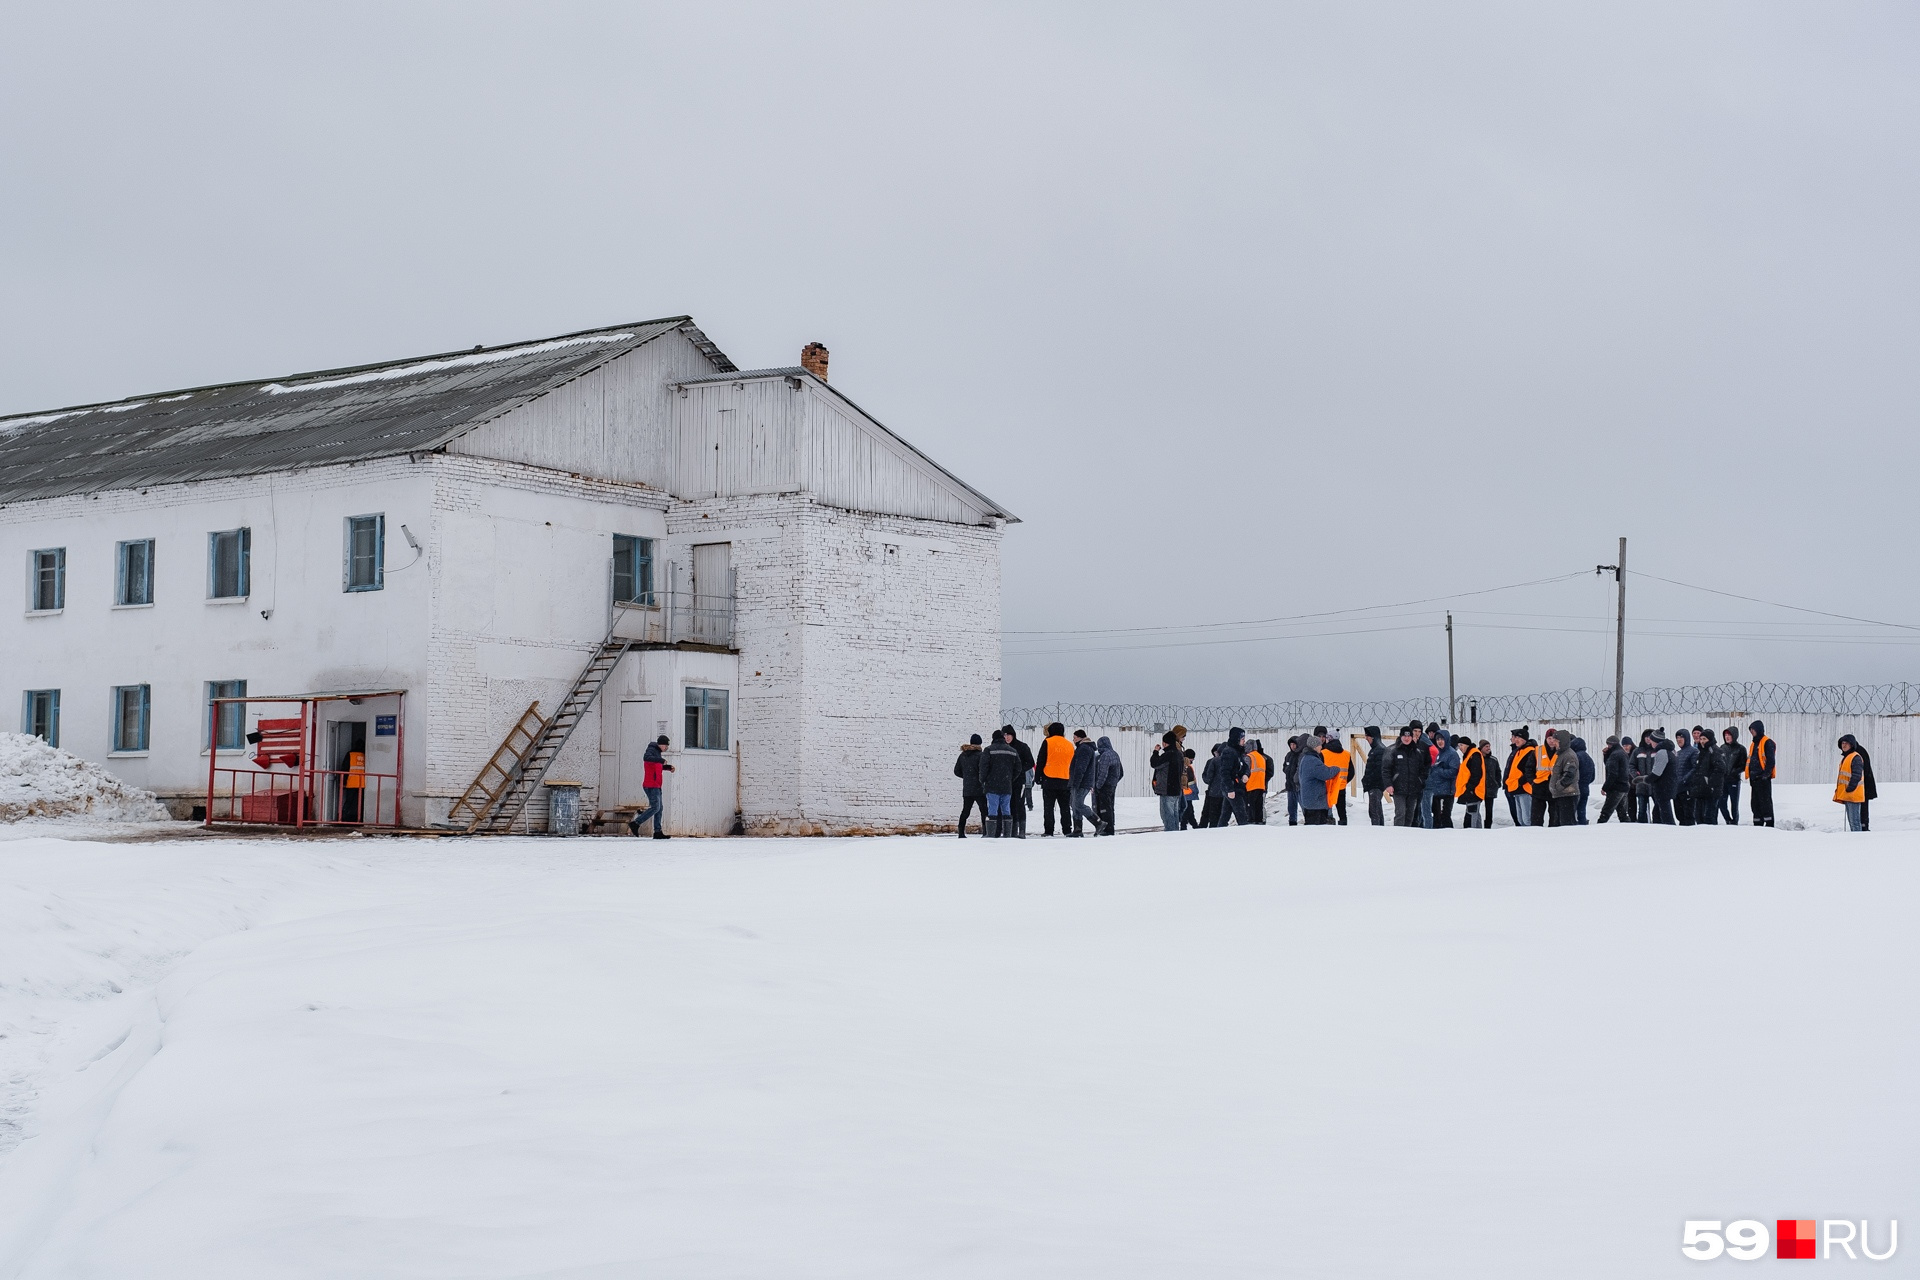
x: 337, y: 415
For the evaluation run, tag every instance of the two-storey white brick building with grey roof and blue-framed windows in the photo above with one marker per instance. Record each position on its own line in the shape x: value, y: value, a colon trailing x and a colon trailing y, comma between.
x: 444, y: 538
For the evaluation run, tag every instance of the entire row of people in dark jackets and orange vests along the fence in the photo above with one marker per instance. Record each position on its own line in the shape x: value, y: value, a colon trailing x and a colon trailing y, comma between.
x: 1428, y: 774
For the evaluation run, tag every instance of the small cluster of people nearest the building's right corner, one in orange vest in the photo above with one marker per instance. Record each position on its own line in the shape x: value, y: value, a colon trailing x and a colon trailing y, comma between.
x: 999, y: 780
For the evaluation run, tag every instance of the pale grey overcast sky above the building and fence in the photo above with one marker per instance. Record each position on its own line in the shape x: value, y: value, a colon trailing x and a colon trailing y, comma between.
x: 1247, y: 312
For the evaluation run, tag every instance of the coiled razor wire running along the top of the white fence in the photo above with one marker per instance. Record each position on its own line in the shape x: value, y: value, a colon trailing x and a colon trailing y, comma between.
x: 1731, y: 699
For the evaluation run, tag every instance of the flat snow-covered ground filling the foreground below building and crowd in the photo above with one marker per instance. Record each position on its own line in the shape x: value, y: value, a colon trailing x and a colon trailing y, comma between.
x: 1264, y: 1053
